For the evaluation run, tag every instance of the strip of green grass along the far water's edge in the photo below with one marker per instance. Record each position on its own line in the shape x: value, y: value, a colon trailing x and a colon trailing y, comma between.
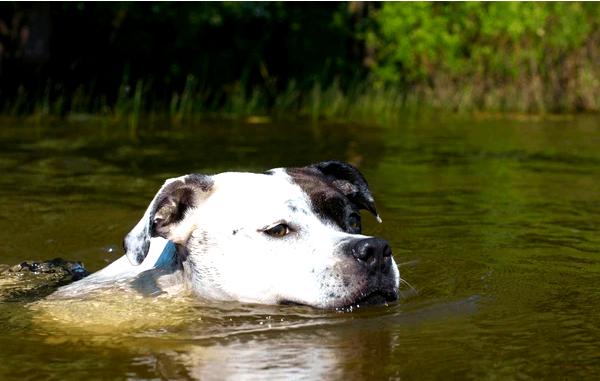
x: 365, y: 101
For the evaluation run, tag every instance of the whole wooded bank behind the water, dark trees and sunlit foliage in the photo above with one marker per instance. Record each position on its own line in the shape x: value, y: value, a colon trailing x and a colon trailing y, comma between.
x: 322, y: 60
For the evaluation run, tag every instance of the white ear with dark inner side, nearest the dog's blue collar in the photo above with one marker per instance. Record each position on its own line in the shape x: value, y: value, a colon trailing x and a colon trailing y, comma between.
x: 165, y: 214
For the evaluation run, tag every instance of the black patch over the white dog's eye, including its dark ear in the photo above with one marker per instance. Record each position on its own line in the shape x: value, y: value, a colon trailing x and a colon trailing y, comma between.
x: 337, y: 191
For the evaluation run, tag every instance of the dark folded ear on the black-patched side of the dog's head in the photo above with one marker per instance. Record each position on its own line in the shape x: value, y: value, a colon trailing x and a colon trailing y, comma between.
x: 348, y: 180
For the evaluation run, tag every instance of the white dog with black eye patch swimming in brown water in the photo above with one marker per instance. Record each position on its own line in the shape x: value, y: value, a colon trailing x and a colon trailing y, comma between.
x: 286, y: 236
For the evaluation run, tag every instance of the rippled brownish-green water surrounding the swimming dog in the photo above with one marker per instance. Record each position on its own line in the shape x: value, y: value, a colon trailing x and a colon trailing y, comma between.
x: 495, y: 223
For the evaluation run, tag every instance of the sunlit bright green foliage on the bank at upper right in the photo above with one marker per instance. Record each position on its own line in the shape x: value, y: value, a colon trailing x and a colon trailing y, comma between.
x: 499, y: 55
